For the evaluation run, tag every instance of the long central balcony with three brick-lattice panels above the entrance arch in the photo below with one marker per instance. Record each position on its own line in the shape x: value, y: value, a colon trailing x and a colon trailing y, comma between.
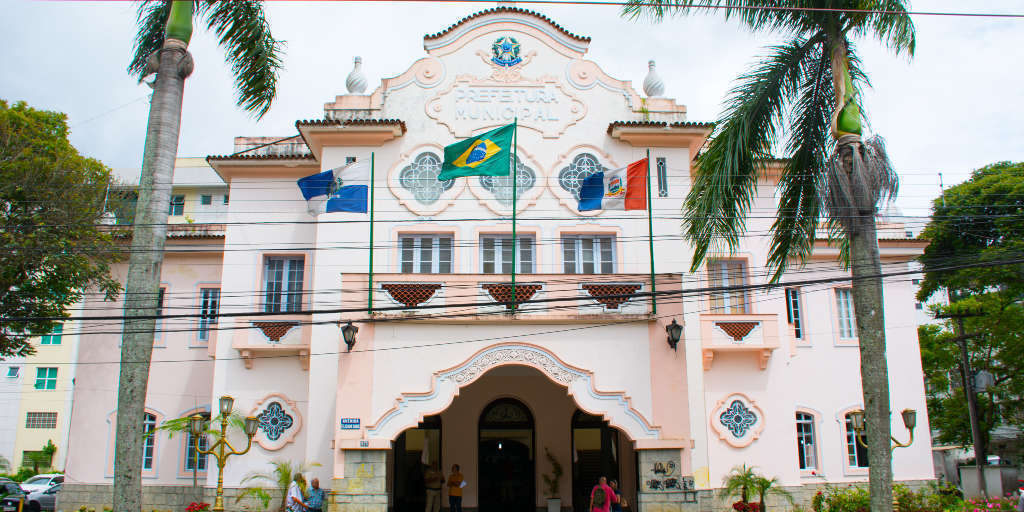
x: 426, y: 297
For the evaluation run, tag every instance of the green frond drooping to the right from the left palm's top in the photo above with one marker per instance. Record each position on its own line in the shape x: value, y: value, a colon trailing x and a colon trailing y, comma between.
x: 252, y: 52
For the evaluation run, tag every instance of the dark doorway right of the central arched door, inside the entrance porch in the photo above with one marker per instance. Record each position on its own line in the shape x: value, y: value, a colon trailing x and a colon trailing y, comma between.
x: 595, y: 454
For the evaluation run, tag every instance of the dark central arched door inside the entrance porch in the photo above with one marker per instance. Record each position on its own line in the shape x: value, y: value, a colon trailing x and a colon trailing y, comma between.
x: 506, y: 457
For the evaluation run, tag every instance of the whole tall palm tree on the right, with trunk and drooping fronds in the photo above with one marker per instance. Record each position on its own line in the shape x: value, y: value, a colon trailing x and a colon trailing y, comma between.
x: 808, y: 87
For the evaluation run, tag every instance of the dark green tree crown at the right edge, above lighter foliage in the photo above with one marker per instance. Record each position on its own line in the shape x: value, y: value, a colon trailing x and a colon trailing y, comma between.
x: 978, y: 221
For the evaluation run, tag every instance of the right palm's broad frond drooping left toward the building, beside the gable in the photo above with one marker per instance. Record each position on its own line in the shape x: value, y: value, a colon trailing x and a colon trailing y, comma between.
x: 727, y: 174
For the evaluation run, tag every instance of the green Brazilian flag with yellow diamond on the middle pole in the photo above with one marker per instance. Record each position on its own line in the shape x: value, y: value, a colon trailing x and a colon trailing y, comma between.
x: 486, y: 155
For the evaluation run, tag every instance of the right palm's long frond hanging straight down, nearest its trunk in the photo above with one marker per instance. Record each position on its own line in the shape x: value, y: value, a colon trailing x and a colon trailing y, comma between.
x: 800, y: 207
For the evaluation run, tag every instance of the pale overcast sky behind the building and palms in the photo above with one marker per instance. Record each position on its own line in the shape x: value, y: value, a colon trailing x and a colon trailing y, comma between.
x: 956, y: 107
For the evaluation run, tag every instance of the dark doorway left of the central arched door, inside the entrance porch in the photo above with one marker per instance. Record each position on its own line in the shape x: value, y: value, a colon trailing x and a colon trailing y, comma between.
x: 415, y: 451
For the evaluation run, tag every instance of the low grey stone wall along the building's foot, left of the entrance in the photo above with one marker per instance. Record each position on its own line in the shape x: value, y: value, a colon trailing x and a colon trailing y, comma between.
x: 155, y: 498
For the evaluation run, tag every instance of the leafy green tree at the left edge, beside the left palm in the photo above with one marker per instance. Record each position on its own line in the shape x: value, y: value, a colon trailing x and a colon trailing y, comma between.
x: 52, y: 247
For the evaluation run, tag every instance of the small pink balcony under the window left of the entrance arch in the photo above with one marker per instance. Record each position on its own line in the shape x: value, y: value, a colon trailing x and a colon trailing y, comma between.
x: 274, y: 337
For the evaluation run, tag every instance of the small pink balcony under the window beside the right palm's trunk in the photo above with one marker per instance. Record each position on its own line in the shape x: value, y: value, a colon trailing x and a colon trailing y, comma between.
x: 753, y: 334
